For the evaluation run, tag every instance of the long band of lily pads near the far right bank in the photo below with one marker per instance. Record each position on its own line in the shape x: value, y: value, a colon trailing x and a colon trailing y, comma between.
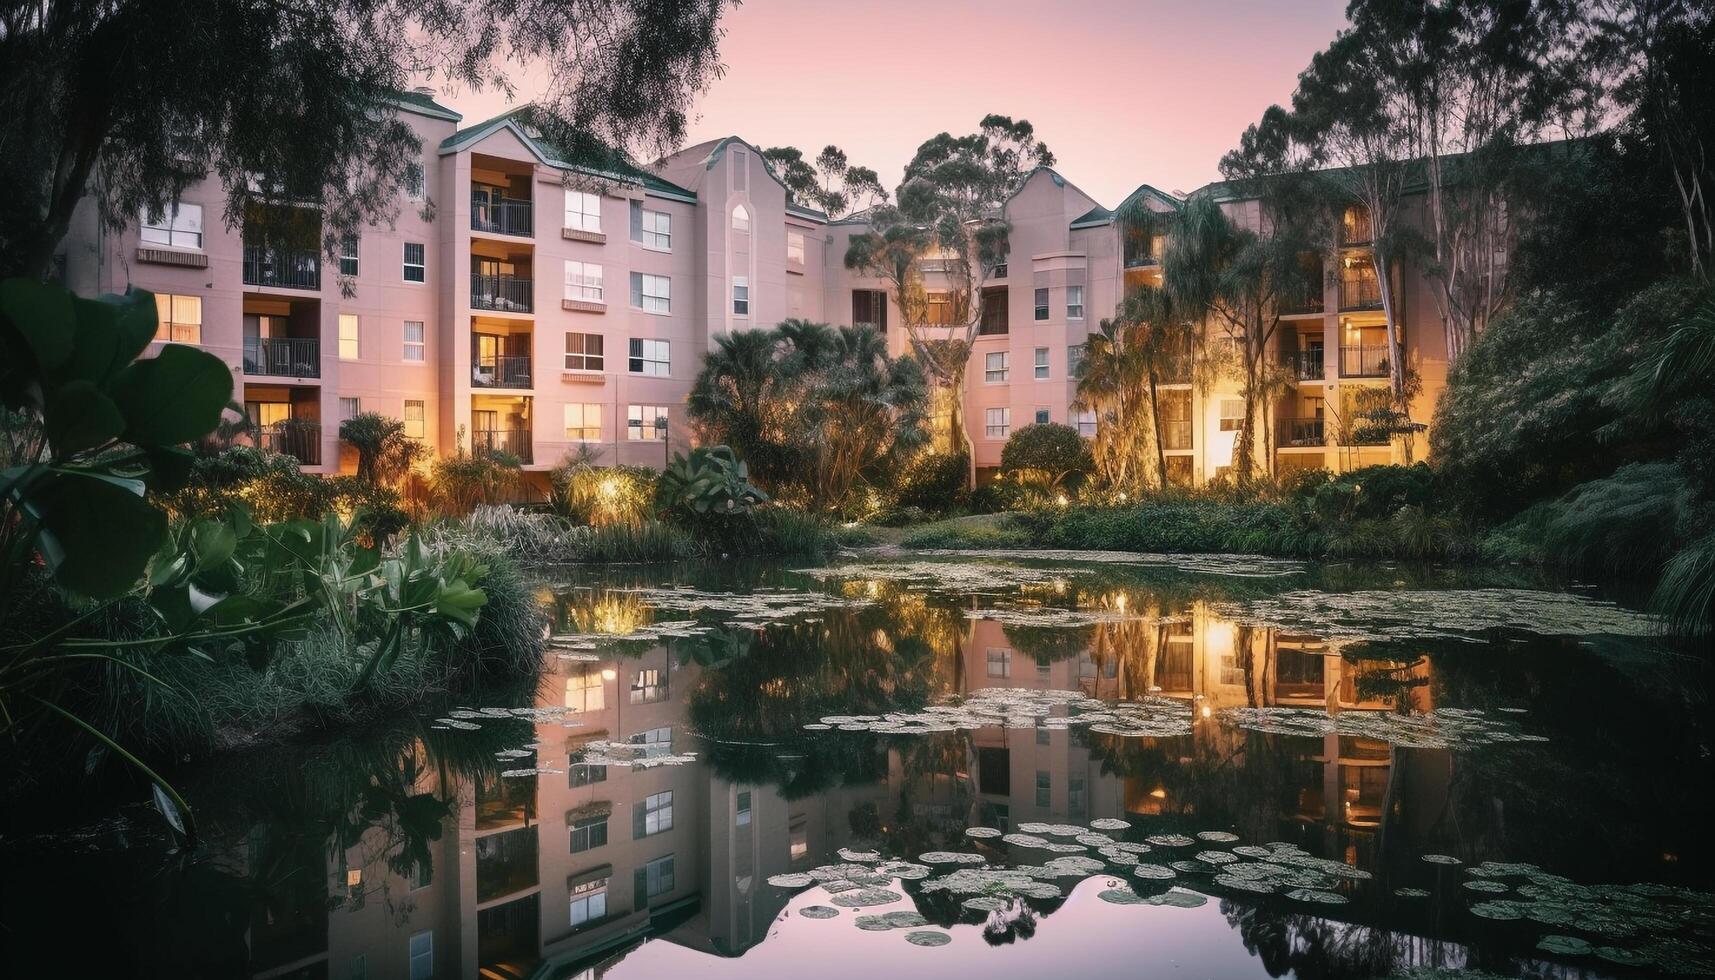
x: 1436, y: 614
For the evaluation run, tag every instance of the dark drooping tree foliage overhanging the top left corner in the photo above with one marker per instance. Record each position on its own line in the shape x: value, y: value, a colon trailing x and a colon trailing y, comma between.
x: 136, y: 100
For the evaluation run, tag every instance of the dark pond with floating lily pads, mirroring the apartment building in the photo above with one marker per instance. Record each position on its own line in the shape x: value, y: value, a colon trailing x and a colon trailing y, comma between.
x: 961, y: 765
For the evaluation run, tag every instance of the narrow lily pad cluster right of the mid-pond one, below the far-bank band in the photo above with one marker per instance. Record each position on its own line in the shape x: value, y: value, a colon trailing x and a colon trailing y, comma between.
x: 1440, y: 729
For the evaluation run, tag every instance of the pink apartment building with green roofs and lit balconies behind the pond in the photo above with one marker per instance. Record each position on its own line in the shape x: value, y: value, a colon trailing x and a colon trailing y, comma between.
x: 550, y: 308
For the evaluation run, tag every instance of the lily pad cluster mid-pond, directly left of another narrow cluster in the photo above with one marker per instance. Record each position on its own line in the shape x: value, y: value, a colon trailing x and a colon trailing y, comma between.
x: 1023, y: 708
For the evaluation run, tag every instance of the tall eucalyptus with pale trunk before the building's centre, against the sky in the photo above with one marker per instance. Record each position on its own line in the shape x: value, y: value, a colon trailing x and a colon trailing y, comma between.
x: 951, y: 210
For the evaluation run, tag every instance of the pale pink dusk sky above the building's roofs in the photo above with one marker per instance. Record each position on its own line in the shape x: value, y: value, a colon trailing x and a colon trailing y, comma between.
x: 1122, y: 92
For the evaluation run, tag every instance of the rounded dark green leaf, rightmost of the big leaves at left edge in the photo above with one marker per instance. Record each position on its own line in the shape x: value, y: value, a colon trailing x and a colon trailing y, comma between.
x: 174, y: 397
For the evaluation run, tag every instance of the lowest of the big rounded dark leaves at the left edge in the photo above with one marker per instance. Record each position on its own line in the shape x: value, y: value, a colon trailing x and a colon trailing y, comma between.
x: 97, y: 533
